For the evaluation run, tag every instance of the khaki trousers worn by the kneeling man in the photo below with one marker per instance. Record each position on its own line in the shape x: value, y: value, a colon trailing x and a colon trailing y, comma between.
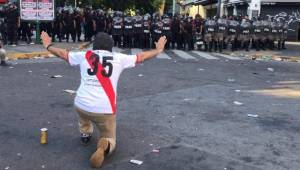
x: 106, y: 124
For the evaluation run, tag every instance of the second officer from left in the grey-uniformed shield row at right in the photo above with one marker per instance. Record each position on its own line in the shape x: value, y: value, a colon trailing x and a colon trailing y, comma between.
x: 221, y: 32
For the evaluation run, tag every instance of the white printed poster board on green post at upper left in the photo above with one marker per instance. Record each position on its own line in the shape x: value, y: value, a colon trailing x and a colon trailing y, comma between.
x: 41, y: 10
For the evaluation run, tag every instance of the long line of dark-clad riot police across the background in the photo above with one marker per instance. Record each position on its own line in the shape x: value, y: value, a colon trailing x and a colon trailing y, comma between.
x: 141, y: 31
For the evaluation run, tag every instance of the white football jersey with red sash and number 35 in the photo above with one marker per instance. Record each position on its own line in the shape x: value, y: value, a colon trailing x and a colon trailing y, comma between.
x: 100, y: 71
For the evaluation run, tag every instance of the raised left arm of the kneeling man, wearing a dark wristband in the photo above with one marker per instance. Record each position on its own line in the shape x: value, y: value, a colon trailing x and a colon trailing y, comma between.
x: 61, y: 53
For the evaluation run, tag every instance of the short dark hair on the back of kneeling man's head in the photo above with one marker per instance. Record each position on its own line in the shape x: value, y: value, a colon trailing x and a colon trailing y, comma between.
x: 103, y: 41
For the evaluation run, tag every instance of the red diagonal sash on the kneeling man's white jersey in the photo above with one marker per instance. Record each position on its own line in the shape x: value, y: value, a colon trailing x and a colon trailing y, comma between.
x: 104, y: 81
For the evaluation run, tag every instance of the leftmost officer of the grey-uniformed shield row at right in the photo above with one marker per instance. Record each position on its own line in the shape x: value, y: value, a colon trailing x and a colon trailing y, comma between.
x: 210, y: 28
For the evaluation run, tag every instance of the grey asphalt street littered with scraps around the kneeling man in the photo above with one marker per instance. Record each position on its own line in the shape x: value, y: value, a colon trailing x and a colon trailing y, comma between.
x: 194, y: 111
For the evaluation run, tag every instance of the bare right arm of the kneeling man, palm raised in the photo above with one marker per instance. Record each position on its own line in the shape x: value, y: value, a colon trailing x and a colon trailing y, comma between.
x: 160, y: 46
